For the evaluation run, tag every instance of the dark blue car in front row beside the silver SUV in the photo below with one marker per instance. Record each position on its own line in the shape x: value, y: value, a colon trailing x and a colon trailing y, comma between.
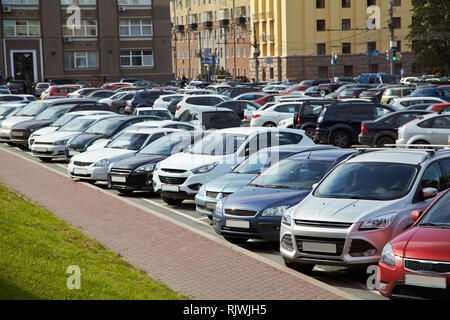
x: 254, y: 212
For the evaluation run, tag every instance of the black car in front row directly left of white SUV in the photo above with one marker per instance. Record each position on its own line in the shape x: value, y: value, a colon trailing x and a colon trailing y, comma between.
x: 136, y: 172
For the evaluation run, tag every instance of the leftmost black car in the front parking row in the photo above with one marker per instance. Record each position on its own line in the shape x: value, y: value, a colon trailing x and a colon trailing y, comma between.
x: 22, y: 131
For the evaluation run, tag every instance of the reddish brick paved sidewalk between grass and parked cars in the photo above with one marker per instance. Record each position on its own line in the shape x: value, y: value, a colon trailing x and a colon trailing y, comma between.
x: 188, y: 262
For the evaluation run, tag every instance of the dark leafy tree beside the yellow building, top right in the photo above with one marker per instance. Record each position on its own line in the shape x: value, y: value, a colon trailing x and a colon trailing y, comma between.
x: 430, y: 34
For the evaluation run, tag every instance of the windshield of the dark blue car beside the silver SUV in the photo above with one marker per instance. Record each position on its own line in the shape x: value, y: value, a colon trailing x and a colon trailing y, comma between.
x: 293, y: 174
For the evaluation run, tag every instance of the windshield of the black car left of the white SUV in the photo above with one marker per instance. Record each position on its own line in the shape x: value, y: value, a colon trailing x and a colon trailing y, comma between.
x: 167, y: 145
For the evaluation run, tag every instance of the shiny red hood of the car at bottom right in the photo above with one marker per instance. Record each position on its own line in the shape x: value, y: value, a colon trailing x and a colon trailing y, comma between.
x: 423, y: 244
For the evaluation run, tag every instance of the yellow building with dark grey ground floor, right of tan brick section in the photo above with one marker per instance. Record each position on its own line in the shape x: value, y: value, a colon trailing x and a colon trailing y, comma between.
x: 296, y: 38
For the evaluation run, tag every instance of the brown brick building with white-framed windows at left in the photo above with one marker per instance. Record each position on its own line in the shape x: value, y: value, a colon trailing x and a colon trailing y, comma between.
x: 87, y: 40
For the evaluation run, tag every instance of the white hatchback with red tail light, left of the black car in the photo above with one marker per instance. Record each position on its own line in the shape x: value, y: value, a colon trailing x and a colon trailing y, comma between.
x: 272, y: 116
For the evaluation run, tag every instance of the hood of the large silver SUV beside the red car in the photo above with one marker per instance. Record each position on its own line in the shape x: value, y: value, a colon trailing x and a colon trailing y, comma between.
x: 341, y: 210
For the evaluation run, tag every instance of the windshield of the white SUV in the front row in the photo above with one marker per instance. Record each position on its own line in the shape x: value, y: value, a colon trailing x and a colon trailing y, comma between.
x: 218, y: 144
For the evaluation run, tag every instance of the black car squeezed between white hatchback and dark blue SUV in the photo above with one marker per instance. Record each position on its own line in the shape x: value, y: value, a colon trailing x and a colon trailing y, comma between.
x: 306, y: 118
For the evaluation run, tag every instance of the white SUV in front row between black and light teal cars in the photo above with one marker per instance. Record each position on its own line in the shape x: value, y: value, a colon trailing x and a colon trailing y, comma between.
x: 181, y: 176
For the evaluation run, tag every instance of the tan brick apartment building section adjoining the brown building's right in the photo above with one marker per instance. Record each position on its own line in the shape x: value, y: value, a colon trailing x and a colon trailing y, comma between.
x: 216, y: 29
